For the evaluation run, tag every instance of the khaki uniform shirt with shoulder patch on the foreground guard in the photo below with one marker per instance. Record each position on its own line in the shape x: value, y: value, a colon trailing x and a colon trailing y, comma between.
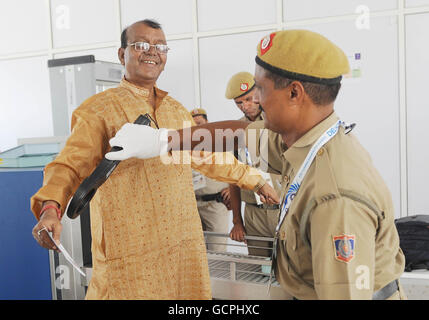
x: 338, y: 240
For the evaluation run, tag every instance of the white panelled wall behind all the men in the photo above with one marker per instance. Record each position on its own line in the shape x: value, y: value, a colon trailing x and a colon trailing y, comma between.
x: 212, y: 40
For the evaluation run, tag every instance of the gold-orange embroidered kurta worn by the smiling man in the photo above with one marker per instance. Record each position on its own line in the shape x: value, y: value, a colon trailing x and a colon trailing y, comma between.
x: 147, y: 241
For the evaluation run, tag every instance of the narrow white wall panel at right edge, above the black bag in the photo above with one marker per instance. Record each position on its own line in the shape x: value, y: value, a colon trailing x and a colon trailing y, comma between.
x: 417, y: 35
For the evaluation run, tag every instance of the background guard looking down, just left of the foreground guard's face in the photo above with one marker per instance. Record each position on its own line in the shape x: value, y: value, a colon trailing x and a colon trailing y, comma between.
x: 259, y: 219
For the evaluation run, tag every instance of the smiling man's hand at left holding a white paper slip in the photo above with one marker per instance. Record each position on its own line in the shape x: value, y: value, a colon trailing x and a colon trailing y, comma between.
x: 48, y: 222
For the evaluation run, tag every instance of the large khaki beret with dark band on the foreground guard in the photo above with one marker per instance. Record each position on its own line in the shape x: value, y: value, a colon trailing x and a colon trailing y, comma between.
x: 302, y: 55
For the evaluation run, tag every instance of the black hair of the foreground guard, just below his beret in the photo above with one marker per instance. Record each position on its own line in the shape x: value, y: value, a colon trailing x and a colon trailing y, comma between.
x: 320, y: 94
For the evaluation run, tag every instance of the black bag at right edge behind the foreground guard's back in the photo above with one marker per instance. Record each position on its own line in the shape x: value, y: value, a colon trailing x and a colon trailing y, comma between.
x: 414, y: 241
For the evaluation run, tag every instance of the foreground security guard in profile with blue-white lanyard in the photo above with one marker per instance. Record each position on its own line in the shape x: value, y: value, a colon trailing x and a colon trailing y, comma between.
x: 337, y: 237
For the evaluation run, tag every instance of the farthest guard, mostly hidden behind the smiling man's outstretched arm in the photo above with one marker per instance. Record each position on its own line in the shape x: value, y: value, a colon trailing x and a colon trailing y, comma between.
x: 212, y: 199
